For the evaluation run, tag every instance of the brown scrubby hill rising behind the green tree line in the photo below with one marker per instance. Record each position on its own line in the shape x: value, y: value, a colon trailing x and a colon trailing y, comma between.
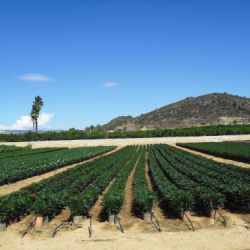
x: 210, y: 109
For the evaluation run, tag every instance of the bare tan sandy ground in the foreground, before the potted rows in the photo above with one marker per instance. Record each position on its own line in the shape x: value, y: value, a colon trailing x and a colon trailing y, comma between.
x: 138, y: 235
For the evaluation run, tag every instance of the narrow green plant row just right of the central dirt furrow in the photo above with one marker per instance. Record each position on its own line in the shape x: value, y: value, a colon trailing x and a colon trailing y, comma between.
x: 143, y: 197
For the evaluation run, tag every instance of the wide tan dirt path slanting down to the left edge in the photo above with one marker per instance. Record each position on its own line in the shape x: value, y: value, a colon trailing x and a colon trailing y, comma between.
x: 6, y: 189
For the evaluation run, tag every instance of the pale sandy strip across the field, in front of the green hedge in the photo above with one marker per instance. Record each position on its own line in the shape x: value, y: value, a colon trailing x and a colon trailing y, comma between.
x: 129, y: 141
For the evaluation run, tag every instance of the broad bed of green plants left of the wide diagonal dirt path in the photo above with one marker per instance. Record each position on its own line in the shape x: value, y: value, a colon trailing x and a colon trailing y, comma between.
x: 19, y: 168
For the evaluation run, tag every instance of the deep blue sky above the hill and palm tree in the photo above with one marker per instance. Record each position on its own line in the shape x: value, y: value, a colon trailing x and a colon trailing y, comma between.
x: 94, y: 60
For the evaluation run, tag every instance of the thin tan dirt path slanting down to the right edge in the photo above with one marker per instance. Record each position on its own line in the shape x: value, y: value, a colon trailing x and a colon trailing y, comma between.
x: 215, y: 158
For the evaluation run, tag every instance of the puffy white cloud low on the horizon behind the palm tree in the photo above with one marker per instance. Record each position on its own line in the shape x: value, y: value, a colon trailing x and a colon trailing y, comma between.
x: 25, y: 122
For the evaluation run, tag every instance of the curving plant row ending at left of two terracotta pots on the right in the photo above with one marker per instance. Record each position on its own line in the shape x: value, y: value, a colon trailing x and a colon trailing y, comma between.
x: 175, y: 199
